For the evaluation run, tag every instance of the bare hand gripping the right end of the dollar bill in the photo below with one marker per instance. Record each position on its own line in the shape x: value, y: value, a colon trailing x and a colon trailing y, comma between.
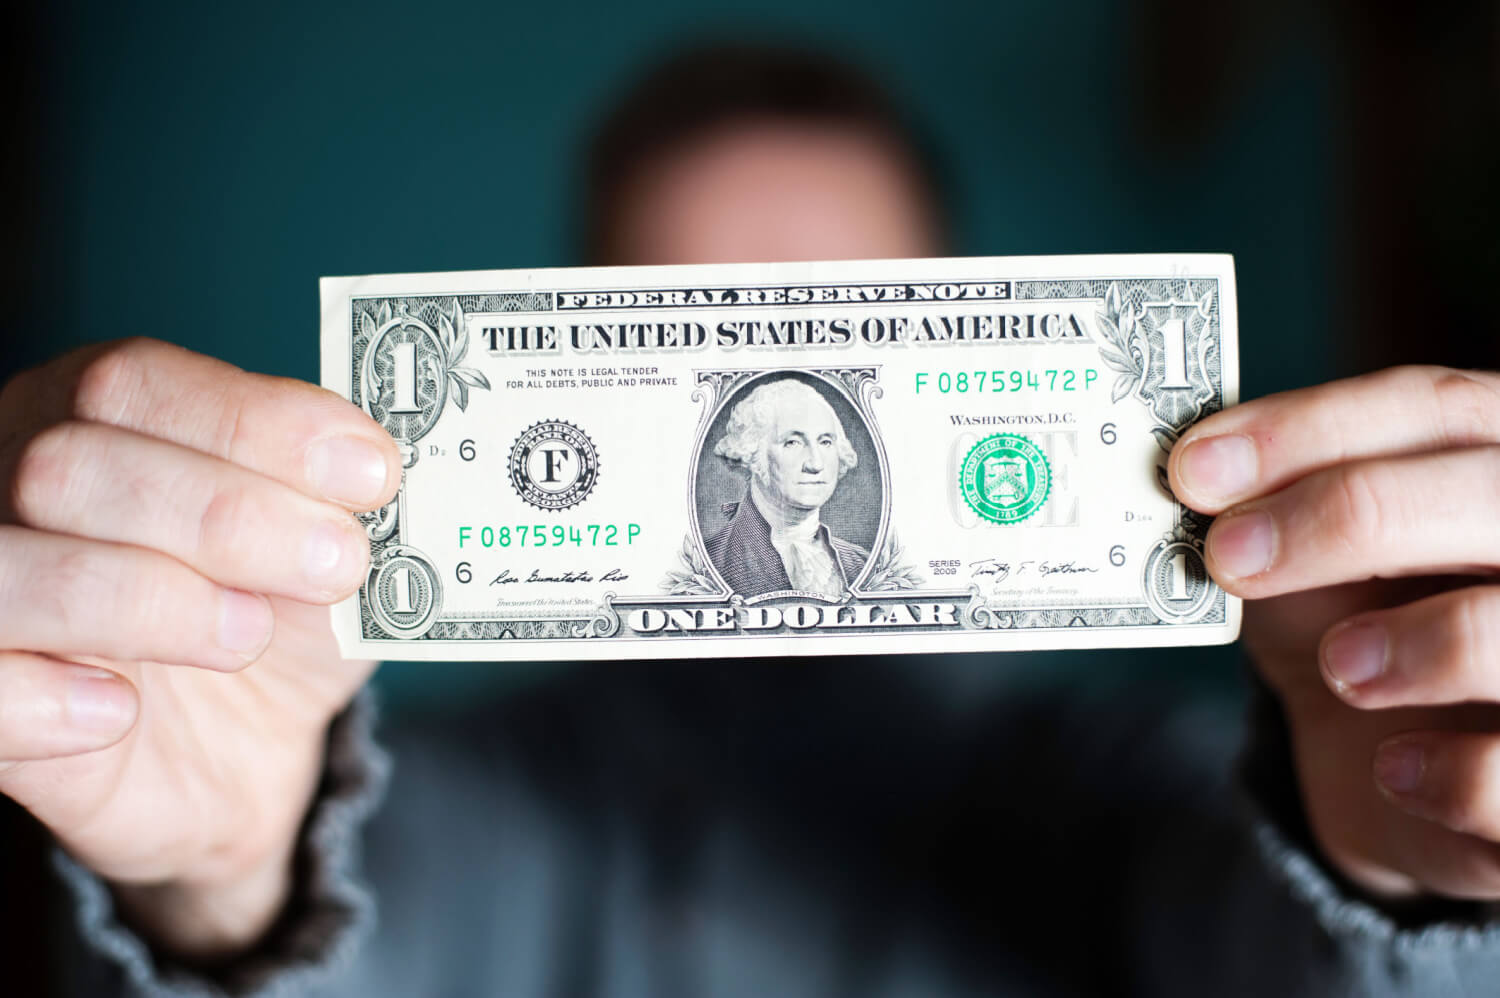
x: 1363, y: 522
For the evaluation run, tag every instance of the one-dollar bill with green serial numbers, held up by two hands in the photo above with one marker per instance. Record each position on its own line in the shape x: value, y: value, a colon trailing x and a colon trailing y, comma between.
x: 875, y: 457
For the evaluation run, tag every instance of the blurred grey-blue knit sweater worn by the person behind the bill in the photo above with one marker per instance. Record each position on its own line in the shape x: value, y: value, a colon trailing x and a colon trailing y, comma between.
x: 787, y: 829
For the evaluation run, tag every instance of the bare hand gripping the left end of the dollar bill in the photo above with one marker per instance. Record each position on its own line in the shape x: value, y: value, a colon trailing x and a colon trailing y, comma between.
x: 166, y: 522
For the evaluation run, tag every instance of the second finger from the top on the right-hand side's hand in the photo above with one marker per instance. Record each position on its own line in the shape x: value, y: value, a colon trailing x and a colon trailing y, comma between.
x: 1417, y: 516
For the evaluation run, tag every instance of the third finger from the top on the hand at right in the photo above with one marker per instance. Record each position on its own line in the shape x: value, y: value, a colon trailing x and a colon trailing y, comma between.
x: 1439, y: 651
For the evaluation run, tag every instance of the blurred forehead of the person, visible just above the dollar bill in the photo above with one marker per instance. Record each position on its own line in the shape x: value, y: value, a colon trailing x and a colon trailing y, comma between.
x: 764, y: 191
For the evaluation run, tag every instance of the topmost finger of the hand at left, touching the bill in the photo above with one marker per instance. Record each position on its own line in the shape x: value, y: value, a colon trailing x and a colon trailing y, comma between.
x: 292, y: 431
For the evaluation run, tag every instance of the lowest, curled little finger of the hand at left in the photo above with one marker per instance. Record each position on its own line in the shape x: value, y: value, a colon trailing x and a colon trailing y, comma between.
x: 52, y: 709
